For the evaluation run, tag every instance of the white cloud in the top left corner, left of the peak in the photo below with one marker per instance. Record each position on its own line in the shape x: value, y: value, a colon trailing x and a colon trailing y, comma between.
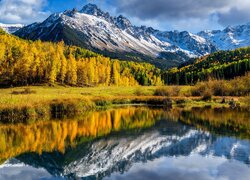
x: 22, y: 11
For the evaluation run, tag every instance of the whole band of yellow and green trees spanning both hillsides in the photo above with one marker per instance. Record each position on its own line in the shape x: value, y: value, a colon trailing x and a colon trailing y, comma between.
x: 25, y: 62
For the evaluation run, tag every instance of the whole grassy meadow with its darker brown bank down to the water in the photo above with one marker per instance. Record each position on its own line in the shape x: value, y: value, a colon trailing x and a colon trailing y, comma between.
x: 28, y: 104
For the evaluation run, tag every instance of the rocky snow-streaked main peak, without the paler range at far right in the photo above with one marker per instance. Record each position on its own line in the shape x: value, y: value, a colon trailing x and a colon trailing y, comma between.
x: 117, y: 34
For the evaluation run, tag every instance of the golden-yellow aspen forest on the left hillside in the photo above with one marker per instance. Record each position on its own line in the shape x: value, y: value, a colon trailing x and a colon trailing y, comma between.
x: 26, y: 62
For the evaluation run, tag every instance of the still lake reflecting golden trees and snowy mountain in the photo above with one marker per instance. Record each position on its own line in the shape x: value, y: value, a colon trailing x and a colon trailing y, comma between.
x: 130, y: 143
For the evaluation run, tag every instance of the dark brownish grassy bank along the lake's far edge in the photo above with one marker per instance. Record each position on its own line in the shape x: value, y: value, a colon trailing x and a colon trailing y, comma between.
x: 65, y: 108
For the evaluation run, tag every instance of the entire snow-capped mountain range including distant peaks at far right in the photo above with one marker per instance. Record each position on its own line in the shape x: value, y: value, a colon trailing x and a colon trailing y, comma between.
x: 98, y: 31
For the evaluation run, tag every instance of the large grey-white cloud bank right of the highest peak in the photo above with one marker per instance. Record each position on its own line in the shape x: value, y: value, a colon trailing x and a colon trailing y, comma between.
x: 192, y: 15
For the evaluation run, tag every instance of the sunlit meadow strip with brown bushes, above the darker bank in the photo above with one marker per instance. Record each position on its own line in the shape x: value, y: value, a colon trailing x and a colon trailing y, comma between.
x: 45, y: 94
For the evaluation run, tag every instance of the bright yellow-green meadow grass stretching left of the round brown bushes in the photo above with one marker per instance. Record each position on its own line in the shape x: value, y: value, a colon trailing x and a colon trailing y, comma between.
x: 44, y: 94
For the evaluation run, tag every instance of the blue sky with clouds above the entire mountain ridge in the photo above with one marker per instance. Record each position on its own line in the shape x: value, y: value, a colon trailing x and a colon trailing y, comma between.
x: 191, y: 15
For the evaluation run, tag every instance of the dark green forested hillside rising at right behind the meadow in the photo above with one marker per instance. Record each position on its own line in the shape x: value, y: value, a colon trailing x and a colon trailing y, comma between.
x: 219, y: 65
